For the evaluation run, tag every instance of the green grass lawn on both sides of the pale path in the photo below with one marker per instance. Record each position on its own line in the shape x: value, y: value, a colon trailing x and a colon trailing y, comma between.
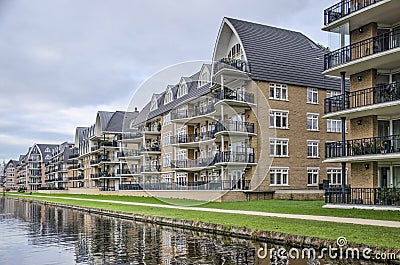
x: 369, y: 235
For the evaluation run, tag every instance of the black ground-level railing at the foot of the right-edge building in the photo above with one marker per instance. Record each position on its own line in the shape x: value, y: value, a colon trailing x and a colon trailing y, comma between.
x: 364, y: 196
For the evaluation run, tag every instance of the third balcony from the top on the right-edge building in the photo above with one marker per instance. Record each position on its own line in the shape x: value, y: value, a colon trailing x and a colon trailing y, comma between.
x: 367, y: 99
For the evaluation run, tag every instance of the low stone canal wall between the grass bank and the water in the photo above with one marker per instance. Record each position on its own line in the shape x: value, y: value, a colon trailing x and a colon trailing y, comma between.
x: 218, y: 229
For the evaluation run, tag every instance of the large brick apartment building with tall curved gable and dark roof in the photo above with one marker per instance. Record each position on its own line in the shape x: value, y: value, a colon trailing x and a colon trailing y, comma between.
x: 251, y: 120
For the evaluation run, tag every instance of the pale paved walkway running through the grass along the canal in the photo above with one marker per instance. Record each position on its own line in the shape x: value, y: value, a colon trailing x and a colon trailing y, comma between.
x: 345, y: 220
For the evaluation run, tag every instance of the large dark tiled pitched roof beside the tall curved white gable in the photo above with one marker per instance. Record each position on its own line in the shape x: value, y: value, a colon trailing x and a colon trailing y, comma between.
x: 281, y: 55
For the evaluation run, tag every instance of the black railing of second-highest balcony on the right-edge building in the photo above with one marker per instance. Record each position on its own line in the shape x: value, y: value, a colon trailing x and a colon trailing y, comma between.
x: 374, y: 45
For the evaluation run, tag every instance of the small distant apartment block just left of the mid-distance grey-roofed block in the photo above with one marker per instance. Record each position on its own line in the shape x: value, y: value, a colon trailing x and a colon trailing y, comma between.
x: 56, y: 169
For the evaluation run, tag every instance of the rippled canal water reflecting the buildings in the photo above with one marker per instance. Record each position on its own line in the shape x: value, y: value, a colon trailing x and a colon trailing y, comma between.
x: 32, y: 233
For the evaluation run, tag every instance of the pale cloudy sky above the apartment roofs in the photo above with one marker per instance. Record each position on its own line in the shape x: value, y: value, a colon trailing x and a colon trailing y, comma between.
x: 63, y: 60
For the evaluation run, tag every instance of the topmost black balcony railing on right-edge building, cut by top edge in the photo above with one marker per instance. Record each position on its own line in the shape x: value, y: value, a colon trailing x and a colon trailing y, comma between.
x: 345, y: 8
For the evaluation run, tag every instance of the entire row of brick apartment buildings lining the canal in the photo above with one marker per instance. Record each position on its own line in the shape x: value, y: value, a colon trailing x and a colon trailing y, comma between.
x: 273, y: 112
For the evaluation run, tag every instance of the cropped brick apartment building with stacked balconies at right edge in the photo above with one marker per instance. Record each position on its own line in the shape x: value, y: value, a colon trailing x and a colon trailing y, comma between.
x: 369, y: 34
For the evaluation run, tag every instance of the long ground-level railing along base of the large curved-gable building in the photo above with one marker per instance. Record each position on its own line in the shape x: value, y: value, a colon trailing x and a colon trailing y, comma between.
x: 198, y: 185
